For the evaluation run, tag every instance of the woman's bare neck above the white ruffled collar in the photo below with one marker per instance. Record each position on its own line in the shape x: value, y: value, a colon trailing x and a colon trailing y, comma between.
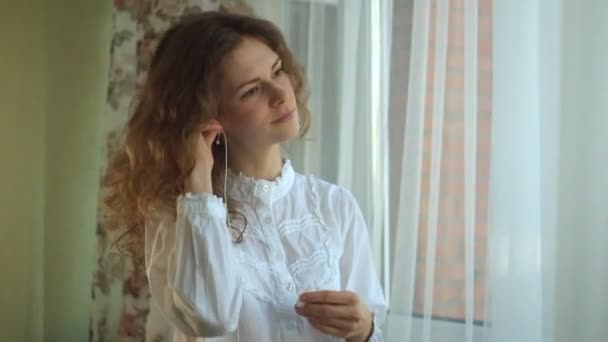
x: 261, y: 164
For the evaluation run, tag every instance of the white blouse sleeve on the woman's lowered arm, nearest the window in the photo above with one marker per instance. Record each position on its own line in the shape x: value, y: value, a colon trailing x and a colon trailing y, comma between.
x: 357, y: 270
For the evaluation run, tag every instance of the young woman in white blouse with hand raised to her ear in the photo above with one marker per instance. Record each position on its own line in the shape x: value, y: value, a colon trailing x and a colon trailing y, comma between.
x: 237, y: 245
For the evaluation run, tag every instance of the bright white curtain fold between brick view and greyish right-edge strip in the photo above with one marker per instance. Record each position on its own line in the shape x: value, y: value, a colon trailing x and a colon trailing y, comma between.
x: 522, y: 197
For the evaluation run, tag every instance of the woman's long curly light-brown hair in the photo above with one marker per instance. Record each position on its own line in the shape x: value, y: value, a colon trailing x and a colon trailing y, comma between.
x: 155, y: 154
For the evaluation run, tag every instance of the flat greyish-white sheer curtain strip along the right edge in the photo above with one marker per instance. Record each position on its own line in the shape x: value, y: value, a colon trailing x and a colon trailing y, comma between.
x: 582, y: 273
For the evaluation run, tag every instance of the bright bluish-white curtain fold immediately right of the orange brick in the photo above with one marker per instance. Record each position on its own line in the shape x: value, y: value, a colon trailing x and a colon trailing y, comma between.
x: 515, y: 237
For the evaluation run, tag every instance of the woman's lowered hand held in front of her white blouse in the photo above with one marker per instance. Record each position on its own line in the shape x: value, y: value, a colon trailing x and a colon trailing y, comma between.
x: 337, y: 313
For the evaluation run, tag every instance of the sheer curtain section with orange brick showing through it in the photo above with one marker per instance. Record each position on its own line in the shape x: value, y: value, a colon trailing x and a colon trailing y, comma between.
x: 442, y: 149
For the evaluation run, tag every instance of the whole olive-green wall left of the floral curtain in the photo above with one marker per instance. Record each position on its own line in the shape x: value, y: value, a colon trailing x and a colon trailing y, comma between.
x: 53, y: 72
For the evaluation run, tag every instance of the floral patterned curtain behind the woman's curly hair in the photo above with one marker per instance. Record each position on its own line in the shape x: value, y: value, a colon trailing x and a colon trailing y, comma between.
x: 120, y: 295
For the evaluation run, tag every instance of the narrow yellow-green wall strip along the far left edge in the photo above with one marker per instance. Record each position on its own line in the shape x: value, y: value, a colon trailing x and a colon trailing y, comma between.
x: 22, y: 168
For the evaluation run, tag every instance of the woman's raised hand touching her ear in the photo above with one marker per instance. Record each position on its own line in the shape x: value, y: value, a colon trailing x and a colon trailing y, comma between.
x: 199, y: 180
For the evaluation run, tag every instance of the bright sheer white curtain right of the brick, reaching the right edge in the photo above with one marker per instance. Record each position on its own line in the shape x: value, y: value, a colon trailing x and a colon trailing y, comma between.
x: 550, y: 145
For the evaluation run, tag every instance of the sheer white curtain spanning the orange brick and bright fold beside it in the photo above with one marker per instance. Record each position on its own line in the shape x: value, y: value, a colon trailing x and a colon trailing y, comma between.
x: 473, y: 256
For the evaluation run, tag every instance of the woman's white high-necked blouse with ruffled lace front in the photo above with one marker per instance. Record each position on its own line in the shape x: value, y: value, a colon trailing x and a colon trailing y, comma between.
x: 303, y: 234
